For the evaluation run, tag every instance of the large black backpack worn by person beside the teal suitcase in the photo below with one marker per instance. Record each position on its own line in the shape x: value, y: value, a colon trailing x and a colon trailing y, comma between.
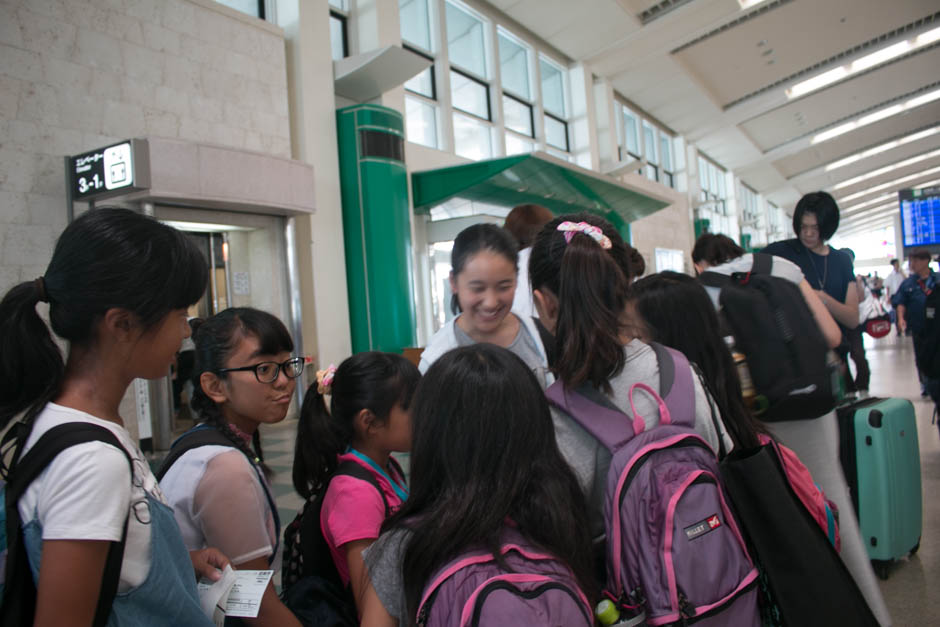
x: 774, y: 328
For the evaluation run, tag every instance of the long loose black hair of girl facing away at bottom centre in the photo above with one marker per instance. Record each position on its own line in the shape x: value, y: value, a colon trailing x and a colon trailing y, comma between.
x: 484, y: 451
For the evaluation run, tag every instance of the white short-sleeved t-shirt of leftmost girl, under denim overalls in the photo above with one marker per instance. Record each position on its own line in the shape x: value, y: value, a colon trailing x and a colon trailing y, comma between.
x: 86, y: 493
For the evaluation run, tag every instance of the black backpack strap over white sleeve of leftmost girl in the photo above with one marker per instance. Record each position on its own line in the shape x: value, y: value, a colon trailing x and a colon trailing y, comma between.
x: 19, y: 602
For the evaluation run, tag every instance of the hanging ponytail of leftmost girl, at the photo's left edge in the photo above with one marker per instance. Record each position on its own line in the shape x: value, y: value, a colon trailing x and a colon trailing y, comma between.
x: 31, y: 365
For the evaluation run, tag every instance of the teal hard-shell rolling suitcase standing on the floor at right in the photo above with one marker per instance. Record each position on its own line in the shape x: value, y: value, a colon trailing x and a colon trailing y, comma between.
x: 881, y: 459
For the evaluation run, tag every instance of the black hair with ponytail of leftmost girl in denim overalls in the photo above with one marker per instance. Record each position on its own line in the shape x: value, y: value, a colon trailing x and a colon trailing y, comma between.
x: 107, y: 258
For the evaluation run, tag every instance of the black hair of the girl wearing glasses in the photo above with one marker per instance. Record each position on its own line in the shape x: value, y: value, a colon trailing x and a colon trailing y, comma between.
x: 216, y: 338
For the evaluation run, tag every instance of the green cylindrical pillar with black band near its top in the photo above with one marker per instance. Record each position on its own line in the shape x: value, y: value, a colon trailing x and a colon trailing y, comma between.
x: 376, y: 227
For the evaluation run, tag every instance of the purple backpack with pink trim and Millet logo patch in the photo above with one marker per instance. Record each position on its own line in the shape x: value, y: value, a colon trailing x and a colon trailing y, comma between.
x: 674, y: 548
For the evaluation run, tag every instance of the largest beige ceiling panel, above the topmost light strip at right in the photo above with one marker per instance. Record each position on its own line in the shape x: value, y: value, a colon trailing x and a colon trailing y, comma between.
x: 789, y: 39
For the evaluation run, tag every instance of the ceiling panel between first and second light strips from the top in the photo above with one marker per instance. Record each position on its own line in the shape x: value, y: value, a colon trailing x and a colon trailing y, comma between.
x: 823, y: 108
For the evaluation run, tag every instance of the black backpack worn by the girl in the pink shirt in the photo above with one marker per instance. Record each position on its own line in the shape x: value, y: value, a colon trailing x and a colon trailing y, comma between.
x: 312, y: 587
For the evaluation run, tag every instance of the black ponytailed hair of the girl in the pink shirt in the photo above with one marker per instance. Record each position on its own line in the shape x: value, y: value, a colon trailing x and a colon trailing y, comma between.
x: 370, y: 380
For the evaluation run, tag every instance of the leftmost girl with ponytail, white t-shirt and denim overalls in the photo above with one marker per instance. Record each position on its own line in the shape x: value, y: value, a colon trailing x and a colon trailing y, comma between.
x: 118, y: 288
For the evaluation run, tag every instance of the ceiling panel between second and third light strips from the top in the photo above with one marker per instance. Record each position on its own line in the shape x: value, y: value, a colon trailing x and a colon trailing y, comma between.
x: 870, y: 136
